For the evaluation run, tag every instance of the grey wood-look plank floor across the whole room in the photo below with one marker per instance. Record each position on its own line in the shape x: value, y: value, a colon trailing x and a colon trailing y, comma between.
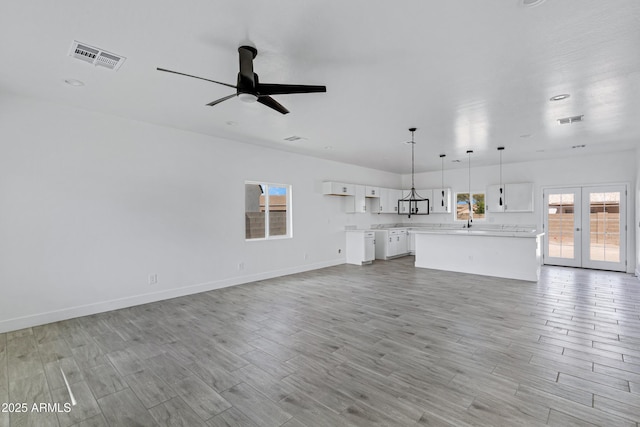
x: 385, y: 344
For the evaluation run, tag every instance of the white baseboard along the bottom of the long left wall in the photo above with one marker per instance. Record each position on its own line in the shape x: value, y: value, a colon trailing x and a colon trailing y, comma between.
x: 103, y: 306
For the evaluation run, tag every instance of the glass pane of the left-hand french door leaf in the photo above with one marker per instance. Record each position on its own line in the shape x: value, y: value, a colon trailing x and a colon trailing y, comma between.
x: 561, y: 225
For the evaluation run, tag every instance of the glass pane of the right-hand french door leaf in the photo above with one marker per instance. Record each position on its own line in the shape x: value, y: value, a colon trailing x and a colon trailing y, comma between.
x: 604, y: 226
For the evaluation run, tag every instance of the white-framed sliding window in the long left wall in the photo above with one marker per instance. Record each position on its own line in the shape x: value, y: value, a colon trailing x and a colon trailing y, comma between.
x: 267, y: 211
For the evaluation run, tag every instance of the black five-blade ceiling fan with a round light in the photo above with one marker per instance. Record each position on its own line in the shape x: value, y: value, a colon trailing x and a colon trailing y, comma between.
x: 249, y: 88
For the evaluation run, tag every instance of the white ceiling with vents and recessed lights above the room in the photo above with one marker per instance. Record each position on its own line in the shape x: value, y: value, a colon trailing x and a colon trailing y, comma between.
x: 468, y: 74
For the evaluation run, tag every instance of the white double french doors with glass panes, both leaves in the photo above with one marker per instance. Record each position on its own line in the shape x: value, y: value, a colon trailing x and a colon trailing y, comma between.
x: 586, y: 227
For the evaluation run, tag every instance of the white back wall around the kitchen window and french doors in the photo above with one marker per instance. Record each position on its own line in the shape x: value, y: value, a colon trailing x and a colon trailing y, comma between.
x: 617, y: 167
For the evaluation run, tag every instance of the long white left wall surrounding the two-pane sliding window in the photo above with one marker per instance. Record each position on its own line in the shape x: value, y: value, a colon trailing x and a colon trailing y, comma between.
x: 91, y: 205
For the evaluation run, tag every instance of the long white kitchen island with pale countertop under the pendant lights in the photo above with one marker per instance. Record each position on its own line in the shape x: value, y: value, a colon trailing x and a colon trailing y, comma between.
x: 501, y: 253
